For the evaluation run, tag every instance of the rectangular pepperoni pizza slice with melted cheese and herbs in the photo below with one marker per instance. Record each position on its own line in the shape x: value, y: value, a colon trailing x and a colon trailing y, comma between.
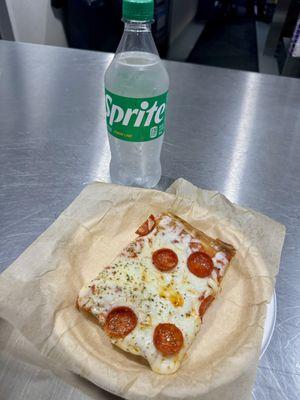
x: 150, y: 301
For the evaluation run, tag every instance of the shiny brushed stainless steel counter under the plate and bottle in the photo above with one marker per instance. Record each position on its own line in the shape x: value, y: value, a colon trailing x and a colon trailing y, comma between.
x: 237, y: 132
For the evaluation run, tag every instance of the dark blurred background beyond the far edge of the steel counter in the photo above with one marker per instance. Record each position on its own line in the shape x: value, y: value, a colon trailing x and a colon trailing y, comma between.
x: 252, y: 35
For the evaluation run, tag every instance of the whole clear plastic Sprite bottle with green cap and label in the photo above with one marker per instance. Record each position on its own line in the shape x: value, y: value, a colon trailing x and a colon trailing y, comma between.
x: 136, y: 88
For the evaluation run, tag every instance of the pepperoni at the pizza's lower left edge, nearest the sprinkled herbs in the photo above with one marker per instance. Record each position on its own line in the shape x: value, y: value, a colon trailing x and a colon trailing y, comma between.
x: 120, y: 322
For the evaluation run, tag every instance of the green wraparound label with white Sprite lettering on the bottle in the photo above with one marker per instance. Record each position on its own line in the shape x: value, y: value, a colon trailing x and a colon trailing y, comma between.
x: 135, y: 119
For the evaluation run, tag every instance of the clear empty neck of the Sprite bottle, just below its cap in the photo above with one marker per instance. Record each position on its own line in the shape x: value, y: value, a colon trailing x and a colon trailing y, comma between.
x: 137, y: 36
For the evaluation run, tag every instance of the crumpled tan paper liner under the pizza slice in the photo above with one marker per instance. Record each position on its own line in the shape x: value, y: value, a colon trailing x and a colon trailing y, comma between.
x: 38, y: 292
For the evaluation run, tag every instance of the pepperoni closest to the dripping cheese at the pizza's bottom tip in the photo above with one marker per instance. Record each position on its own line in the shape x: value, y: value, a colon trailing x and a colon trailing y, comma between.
x: 168, y: 339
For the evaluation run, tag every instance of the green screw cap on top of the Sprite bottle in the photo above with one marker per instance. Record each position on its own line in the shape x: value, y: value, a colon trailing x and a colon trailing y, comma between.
x: 138, y: 10
